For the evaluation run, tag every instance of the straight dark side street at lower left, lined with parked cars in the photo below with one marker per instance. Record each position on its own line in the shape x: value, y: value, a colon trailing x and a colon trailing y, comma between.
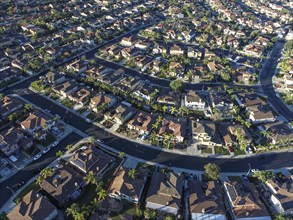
x: 34, y: 167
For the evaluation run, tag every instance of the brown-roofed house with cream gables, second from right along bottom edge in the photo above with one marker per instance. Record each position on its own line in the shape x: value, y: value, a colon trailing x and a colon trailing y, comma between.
x: 244, y: 201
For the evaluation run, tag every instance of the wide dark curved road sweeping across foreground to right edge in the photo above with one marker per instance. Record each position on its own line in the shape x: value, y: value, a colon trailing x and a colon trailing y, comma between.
x: 275, y: 160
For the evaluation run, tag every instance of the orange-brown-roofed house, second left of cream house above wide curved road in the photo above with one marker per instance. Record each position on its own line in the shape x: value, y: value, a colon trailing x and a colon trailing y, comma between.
x: 142, y: 122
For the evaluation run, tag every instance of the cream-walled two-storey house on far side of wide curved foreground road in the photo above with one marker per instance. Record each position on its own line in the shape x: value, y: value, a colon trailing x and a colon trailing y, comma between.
x: 205, y: 132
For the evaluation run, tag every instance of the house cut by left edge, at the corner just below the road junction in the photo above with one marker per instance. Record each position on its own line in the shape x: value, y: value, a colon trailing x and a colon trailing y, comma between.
x: 9, y: 105
